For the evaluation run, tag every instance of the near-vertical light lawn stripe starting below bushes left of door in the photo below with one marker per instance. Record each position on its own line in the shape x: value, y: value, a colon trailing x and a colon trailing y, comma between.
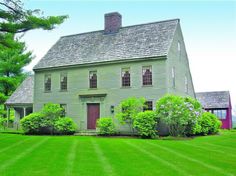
x: 71, y: 158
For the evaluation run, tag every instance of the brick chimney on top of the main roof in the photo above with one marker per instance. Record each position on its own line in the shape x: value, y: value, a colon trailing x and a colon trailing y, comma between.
x: 112, y: 22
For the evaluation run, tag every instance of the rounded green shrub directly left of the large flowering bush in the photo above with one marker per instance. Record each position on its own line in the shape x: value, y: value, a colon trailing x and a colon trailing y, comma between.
x: 145, y: 123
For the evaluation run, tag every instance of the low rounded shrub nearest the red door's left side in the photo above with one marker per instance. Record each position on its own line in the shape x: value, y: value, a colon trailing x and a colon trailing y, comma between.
x: 64, y: 125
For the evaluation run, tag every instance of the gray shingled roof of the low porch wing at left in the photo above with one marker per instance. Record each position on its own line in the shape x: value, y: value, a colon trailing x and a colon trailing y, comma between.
x: 23, y: 94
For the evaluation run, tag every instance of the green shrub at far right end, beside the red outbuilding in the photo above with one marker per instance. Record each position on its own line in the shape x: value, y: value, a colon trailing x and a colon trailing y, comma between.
x: 208, y: 123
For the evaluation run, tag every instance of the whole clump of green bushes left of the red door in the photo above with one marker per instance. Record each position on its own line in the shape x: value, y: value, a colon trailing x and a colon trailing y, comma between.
x: 48, y: 121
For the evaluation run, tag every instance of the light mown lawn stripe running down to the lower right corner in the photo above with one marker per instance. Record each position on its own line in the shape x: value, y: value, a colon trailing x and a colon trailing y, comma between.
x: 190, y: 158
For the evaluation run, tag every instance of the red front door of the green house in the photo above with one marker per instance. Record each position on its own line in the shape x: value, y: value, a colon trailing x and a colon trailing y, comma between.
x: 93, y: 111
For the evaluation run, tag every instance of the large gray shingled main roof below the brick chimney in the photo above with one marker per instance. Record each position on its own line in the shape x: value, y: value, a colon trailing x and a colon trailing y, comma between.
x: 132, y: 42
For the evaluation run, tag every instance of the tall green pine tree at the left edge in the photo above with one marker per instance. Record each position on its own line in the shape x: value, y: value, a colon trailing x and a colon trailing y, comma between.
x: 15, y: 20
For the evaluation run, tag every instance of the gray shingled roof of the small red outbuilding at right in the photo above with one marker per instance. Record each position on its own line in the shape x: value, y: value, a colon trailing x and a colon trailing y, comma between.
x: 219, y: 99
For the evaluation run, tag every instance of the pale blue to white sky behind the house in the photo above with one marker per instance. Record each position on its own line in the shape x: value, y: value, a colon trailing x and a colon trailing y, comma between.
x: 209, y: 30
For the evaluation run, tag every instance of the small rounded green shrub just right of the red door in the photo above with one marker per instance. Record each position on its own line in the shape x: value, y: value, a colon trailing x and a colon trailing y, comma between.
x: 105, y: 126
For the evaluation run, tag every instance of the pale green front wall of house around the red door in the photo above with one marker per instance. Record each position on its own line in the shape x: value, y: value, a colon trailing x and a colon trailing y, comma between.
x: 109, y: 82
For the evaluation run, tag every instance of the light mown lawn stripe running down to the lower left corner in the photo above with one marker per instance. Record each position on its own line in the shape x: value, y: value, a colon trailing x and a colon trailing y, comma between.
x: 22, y: 154
